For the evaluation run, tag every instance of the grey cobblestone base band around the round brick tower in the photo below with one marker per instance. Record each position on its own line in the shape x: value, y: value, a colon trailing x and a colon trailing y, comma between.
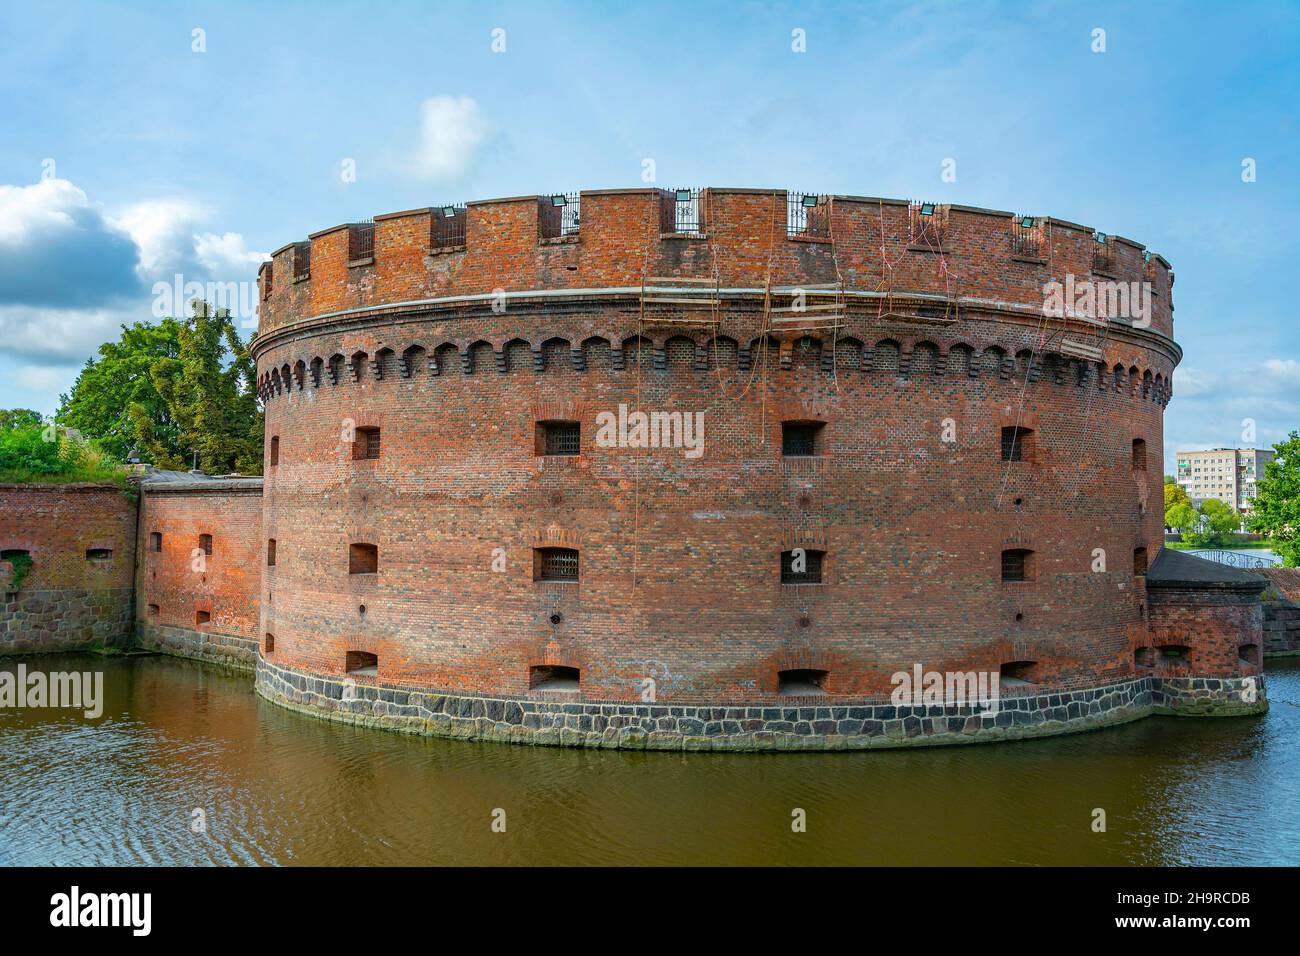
x: 801, y: 726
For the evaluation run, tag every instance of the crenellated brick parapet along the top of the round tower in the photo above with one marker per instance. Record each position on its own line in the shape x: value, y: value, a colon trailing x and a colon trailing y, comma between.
x: 881, y: 254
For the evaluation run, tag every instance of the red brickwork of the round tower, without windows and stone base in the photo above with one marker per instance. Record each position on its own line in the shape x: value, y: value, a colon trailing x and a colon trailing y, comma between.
x: 681, y: 559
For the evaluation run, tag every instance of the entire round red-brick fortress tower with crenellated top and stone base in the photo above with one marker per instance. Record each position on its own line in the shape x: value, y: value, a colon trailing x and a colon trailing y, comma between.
x: 427, y: 378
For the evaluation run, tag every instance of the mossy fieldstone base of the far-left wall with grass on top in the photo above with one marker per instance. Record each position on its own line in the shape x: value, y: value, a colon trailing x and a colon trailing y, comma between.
x: 42, y: 622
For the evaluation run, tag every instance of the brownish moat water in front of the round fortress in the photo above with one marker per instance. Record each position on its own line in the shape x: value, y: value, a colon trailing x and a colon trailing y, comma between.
x: 278, y: 788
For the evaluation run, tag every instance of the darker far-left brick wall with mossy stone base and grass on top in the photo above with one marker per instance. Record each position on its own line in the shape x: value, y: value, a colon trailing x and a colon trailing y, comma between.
x: 76, y: 592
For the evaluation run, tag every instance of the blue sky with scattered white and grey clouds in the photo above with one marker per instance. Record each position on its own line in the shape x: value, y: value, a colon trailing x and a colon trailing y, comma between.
x: 127, y: 157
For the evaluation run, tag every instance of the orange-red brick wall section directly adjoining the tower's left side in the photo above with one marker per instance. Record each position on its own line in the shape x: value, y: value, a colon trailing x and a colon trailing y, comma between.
x: 179, y: 582
